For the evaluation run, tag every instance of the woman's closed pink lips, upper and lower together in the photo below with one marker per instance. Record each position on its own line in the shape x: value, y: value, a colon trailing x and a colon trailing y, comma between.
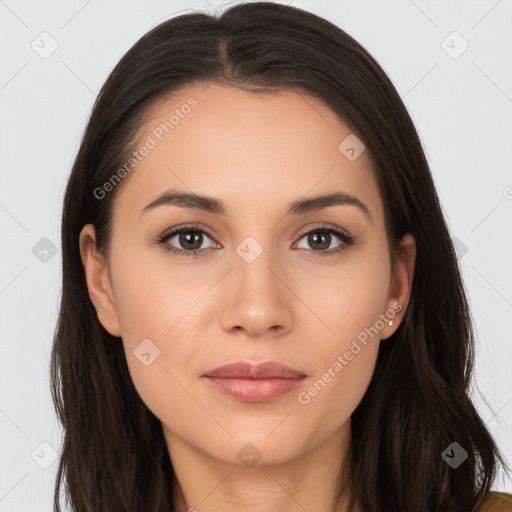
x: 254, y: 383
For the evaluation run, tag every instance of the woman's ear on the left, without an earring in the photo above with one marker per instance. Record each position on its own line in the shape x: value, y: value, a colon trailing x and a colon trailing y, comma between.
x: 98, y: 281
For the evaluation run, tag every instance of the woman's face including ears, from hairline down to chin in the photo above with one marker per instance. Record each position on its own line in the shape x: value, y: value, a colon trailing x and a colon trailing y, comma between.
x: 264, y: 282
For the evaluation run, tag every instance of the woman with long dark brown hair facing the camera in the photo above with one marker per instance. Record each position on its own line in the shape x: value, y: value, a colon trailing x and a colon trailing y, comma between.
x: 262, y: 307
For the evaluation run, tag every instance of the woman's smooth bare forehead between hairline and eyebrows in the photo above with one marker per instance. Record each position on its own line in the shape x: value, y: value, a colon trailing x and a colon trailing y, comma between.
x: 255, y: 151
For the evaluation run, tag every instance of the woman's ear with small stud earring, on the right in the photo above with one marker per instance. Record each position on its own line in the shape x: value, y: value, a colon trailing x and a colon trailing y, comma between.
x: 401, y: 285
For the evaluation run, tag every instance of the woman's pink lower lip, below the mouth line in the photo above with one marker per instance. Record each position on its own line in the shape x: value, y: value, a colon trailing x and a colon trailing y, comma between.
x: 255, y: 390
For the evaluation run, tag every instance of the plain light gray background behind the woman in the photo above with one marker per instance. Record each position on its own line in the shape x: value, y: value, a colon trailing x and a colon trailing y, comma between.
x: 462, y: 108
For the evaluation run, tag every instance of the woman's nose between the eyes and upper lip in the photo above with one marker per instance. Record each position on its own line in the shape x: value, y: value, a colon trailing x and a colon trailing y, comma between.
x: 258, y: 300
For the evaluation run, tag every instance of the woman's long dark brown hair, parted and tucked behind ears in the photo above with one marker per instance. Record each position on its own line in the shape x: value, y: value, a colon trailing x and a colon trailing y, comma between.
x: 114, y: 457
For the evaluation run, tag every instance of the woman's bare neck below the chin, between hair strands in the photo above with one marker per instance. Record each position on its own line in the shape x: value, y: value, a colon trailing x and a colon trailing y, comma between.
x: 308, y: 482
